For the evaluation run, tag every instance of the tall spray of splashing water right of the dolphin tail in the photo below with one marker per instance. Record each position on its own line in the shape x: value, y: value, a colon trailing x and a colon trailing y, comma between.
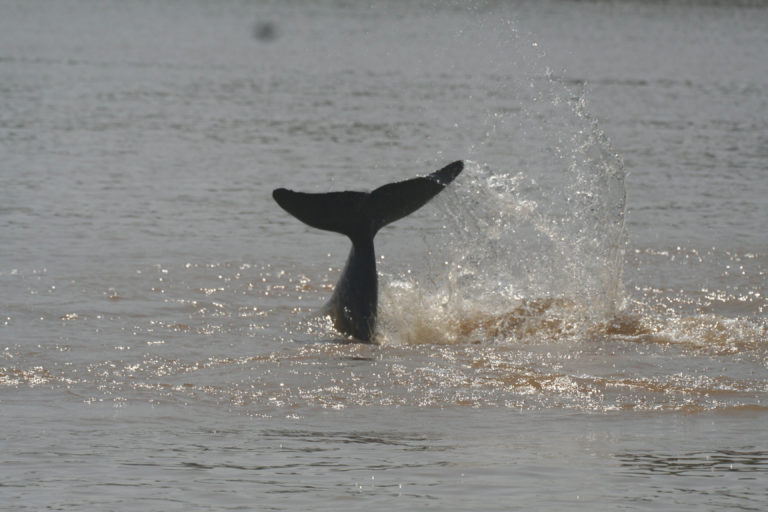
x: 533, y: 238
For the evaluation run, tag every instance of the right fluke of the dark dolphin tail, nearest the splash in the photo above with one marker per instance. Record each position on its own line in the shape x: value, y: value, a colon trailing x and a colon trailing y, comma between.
x: 397, y: 200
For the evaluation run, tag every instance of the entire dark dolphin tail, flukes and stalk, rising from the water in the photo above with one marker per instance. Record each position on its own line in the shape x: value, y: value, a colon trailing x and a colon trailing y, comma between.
x: 360, y: 215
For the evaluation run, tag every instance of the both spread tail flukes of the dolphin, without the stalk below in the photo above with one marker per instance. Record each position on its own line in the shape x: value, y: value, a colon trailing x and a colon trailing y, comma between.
x: 362, y: 214
